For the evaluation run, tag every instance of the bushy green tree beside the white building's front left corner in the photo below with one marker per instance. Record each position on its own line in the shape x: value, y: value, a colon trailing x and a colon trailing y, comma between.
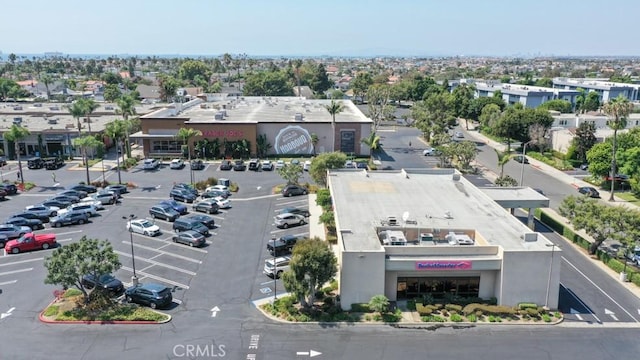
x: 312, y: 265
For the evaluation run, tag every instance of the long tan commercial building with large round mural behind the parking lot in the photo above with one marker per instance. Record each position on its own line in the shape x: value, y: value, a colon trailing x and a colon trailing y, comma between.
x: 288, y: 125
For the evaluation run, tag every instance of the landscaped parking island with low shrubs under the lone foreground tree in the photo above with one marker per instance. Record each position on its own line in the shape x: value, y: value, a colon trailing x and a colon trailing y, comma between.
x: 69, y: 308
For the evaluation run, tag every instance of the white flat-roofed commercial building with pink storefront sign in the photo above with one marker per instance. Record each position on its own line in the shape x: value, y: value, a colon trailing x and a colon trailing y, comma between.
x: 430, y: 232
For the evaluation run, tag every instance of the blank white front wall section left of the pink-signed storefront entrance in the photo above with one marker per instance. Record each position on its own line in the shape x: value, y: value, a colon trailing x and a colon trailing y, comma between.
x: 362, y: 276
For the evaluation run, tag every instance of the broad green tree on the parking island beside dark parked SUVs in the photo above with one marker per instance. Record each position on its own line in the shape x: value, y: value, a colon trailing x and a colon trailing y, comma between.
x: 68, y: 264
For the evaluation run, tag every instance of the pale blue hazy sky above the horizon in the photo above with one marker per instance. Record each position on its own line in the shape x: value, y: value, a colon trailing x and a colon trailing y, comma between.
x: 314, y: 28
